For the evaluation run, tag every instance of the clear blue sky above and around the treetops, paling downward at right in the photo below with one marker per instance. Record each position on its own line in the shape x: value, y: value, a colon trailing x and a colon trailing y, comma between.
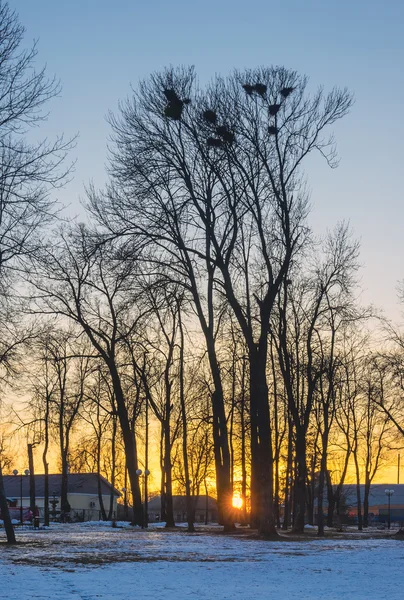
x: 99, y: 48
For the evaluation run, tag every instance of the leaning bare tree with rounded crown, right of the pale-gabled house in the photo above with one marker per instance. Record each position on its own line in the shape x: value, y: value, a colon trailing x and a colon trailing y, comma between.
x: 93, y: 288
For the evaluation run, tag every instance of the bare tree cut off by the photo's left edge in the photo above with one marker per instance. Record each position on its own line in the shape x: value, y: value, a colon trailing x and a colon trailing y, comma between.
x: 28, y: 170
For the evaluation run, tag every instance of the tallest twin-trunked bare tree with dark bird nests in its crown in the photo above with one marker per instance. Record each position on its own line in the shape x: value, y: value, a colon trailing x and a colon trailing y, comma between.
x: 203, y: 175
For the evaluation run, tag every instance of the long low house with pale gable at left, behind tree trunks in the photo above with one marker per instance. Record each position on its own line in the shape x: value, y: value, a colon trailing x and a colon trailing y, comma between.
x: 82, y: 494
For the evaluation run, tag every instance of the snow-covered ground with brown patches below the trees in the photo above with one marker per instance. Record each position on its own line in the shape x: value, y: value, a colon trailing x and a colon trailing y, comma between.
x: 95, y: 562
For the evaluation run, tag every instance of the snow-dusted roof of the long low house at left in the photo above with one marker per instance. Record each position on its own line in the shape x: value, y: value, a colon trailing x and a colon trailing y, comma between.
x: 77, y: 483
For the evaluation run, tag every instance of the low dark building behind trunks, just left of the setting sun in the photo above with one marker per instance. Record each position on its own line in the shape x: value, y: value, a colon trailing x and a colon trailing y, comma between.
x: 205, y: 509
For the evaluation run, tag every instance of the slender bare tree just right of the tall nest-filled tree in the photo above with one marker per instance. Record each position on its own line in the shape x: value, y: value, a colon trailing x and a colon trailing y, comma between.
x: 310, y: 310
